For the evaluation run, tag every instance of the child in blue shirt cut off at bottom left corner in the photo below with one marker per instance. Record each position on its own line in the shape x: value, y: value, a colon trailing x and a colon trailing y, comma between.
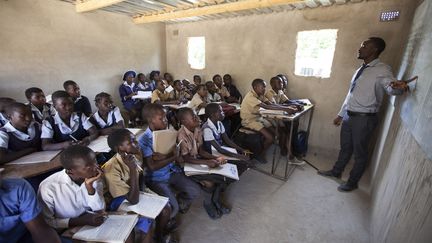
x: 21, y: 219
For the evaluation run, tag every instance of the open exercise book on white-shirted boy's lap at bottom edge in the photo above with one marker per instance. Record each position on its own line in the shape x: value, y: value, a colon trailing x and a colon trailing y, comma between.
x: 115, y: 229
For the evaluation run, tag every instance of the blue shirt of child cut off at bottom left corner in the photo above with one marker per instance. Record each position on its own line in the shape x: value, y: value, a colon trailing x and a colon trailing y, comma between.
x: 18, y: 205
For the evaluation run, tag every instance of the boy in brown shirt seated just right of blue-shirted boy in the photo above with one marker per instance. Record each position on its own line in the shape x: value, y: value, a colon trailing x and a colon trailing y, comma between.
x: 192, y: 151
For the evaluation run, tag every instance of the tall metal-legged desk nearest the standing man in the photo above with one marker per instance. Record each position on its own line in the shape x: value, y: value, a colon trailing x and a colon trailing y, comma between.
x: 308, y: 109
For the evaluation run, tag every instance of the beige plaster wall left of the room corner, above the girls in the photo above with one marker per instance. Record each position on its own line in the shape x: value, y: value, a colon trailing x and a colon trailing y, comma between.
x: 45, y: 42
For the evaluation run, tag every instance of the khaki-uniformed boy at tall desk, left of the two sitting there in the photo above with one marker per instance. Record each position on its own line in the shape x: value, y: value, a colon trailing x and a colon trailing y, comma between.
x: 251, y: 119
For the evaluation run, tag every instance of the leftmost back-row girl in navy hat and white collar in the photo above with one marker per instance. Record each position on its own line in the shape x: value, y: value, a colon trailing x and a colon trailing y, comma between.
x: 128, y: 89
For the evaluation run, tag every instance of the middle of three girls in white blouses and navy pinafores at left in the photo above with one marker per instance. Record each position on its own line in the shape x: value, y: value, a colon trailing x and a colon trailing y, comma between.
x: 66, y: 127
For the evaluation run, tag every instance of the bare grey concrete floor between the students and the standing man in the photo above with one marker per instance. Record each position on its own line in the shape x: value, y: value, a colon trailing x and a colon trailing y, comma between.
x: 306, y: 208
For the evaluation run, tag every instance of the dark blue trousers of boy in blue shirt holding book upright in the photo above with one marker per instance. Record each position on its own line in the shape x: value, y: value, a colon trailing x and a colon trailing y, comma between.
x: 187, y: 190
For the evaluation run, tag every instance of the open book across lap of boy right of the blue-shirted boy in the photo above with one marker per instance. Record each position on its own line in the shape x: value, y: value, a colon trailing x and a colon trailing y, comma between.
x: 227, y: 170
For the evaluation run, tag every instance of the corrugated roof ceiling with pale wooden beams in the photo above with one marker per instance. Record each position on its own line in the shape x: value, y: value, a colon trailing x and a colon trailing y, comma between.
x: 174, y: 11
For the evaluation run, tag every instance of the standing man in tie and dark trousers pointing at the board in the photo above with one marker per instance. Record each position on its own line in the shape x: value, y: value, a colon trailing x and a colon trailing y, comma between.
x: 358, y: 114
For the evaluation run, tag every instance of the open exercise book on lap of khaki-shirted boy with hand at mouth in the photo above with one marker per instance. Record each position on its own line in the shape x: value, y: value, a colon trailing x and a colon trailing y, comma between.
x: 149, y: 205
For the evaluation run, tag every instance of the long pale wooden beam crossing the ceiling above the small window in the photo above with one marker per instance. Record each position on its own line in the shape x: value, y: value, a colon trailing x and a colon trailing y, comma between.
x: 213, y: 9
